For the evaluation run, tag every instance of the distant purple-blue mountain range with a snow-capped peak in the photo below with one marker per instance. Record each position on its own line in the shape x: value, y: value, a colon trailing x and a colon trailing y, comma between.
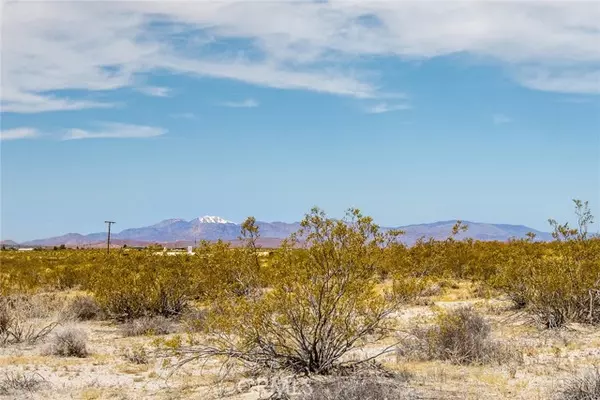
x: 179, y: 233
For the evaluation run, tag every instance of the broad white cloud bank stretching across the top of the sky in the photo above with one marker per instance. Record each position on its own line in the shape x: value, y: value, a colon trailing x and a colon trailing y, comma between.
x: 50, y: 47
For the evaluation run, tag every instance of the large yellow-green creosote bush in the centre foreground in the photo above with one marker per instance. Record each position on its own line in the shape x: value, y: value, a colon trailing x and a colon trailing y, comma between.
x: 323, y: 301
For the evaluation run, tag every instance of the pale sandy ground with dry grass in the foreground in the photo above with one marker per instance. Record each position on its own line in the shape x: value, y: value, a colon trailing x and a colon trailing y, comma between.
x: 549, y: 358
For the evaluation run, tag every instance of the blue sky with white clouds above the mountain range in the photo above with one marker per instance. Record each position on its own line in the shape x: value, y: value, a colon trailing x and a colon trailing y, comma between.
x: 139, y: 112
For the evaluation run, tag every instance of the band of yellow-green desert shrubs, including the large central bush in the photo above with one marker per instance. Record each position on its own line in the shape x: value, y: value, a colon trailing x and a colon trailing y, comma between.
x: 327, y: 290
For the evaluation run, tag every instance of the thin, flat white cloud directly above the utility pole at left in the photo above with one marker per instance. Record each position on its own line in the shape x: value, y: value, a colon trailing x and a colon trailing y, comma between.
x: 115, y: 131
